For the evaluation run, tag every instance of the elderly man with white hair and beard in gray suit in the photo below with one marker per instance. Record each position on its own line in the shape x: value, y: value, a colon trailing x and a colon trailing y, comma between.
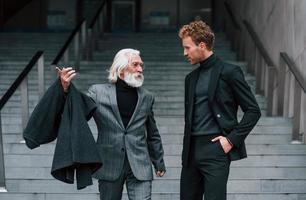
x: 128, y: 139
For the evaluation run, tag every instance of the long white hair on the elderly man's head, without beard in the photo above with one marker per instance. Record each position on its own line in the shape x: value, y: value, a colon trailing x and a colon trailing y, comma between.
x: 120, y: 62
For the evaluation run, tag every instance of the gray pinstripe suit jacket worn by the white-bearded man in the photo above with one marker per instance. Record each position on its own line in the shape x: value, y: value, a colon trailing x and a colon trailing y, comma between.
x: 140, y: 140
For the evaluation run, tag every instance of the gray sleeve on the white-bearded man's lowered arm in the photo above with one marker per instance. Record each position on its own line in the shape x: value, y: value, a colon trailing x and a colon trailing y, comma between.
x: 154, y: 142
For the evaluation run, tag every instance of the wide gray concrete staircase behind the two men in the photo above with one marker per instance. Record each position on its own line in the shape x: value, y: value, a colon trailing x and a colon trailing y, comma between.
x: 274, y: 169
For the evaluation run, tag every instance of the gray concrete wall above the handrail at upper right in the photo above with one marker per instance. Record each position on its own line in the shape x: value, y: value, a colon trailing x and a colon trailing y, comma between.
x: 281, y: 25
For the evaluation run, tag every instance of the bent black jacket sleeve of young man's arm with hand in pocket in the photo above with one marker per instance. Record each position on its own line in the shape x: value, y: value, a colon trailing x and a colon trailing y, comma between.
x: 246, y: 100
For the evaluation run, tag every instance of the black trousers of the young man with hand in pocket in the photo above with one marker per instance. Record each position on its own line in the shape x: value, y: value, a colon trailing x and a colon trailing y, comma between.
x: 207, y: 172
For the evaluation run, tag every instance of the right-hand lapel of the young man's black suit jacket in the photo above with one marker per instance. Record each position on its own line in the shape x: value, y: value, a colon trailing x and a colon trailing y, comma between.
x: 214, y: 78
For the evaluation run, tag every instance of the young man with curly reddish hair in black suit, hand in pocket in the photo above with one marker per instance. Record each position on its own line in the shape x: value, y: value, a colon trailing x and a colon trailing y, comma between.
x: 213, y: 137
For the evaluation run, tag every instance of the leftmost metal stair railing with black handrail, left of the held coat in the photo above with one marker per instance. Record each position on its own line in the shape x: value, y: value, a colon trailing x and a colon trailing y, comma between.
x: 22, y: 82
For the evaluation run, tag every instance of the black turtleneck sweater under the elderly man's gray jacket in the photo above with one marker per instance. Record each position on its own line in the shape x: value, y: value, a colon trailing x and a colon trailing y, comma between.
x: 127, y: 98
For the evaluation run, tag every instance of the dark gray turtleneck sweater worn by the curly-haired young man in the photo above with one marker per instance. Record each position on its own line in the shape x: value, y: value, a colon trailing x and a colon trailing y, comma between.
x: 203, y: 122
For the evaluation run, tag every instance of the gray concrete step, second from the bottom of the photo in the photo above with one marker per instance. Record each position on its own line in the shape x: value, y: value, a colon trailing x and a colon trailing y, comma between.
x: 163, y: 186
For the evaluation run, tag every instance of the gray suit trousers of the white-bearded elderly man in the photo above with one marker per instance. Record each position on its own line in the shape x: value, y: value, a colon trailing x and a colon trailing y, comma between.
x: 136, y: 189
